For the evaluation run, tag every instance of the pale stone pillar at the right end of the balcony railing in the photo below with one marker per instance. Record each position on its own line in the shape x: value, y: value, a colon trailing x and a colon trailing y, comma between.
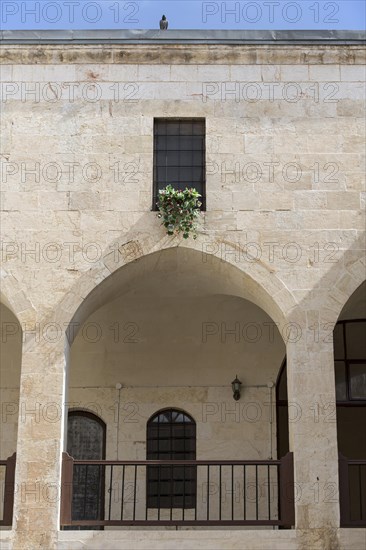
x: 313, y: 432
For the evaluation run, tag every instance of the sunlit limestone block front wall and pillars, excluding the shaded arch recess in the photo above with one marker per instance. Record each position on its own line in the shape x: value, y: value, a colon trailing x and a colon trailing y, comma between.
x: 285, y: 199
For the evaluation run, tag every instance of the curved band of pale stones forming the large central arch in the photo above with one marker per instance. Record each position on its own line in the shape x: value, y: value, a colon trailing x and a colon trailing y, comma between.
x: 265, y: 288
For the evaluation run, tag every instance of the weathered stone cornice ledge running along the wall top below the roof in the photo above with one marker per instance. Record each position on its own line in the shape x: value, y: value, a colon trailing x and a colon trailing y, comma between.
x: 157, y: 54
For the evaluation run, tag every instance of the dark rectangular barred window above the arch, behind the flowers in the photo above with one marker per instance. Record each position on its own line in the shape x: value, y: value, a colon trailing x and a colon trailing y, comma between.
x: 179, y: 155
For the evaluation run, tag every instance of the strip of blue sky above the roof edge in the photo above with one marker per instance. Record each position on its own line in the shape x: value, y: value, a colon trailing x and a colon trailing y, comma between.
x: 183, y: 14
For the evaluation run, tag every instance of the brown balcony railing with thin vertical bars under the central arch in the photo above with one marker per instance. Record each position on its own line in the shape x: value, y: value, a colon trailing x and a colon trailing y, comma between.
x: 107, y: 493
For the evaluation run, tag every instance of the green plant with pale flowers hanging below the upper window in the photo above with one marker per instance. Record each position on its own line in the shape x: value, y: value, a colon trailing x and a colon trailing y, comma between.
x: 179, y: 210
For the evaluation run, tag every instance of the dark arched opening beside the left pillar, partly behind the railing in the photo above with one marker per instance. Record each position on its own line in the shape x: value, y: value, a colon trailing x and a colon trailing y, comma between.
x: 86, y: 440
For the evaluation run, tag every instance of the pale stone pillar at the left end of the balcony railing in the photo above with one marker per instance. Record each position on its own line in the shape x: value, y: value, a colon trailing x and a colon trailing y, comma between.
x: 37, y: 481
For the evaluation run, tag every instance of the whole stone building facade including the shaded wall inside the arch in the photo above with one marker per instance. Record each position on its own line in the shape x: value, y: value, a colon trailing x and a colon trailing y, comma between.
x: 103, y: 312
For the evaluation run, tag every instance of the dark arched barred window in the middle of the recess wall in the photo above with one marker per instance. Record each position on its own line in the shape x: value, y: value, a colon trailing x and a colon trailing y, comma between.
x: 171, y: 435
